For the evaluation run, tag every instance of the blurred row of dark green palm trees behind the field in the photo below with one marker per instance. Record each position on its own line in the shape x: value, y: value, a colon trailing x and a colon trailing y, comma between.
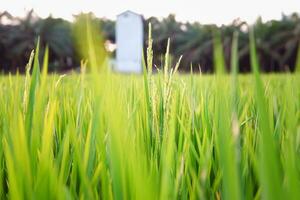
x: 277, y: 42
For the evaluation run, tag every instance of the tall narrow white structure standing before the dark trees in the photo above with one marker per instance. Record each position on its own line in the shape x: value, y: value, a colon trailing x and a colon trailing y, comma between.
x: 129, y: 39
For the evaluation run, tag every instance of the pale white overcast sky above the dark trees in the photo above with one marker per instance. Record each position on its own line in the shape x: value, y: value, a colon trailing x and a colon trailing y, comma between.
x: 203, y: 11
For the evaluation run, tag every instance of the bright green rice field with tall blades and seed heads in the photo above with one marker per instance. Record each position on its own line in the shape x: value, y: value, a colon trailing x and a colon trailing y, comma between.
x: 99, y: 135
